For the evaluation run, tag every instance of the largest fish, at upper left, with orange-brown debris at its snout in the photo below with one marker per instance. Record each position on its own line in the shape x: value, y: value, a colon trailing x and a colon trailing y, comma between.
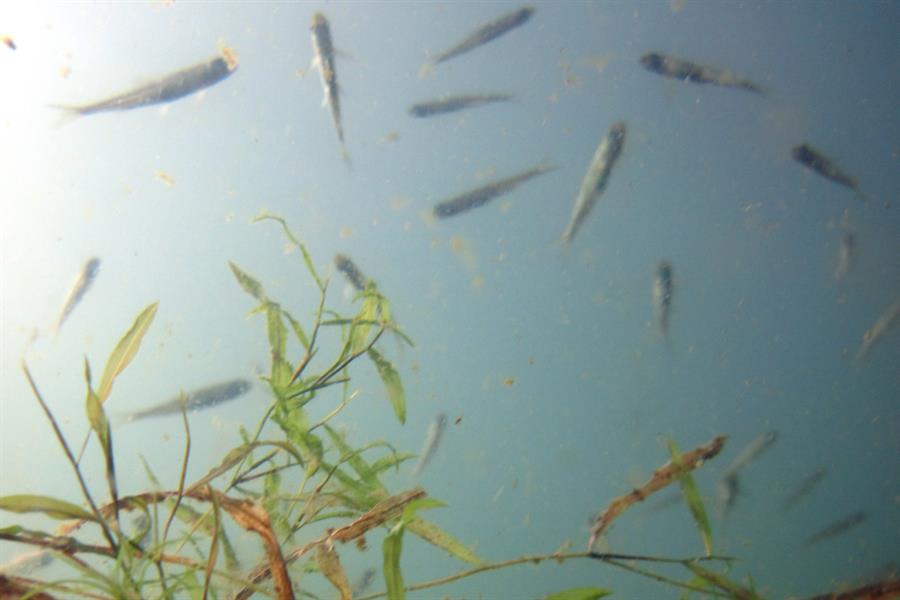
x: 172, y: 87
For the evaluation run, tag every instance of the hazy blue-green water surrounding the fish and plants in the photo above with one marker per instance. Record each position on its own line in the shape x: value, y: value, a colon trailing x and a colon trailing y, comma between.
x: 549, y: 355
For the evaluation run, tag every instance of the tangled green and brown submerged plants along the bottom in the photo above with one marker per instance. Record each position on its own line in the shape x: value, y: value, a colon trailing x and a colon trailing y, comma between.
x: 299, y: 487
